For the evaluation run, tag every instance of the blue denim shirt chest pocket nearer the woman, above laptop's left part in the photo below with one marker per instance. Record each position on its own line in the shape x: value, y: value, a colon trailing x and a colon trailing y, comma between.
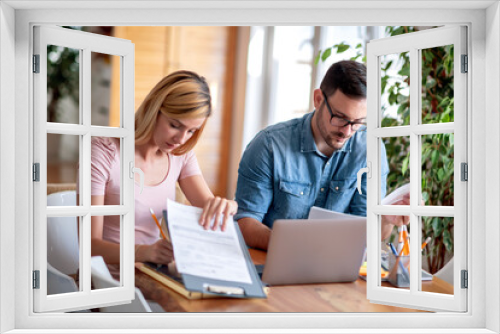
x: 292, y: 201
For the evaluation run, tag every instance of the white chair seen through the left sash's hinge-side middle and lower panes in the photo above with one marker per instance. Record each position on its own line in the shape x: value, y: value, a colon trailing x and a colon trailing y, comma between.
x: 62, y: 235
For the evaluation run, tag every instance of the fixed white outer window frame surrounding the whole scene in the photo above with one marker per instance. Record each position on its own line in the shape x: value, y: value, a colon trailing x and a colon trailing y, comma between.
x: 17, y: 19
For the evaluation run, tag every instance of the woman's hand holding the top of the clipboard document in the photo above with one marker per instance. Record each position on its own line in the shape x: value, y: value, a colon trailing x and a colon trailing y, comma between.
x: 216, y: 207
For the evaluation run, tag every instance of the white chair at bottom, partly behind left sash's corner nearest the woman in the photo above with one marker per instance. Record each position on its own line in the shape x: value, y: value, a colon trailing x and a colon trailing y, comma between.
x: 102, y: 279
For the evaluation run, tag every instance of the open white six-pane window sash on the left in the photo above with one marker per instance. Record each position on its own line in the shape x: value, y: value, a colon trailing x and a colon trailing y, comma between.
x: 87, y: 43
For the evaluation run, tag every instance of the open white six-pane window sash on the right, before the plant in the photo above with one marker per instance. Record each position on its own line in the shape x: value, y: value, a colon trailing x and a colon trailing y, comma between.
x: 413, y: 44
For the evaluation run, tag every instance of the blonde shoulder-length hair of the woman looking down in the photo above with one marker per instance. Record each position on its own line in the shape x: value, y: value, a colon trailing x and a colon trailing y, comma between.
x: 179, y: 95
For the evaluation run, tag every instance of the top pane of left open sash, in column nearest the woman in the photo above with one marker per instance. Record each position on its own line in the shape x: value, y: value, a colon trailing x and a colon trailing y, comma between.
x: 105, y: 72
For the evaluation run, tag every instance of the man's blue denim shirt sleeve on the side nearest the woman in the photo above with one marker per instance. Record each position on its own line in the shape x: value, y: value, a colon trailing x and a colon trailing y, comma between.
x: 254, y: 191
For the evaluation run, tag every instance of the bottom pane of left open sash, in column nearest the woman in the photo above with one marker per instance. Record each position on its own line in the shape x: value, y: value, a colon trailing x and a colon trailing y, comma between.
x: 106, y: 267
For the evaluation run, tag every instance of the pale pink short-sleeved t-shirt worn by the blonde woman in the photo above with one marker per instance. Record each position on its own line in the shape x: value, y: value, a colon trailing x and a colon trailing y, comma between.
x: 105, y: 169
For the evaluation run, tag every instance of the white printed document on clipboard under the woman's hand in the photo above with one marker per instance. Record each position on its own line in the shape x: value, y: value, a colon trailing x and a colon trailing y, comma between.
x: 206, y: 253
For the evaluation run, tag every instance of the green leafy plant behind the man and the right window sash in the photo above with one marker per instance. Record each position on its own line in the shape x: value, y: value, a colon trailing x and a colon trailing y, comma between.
x: 437, y: 150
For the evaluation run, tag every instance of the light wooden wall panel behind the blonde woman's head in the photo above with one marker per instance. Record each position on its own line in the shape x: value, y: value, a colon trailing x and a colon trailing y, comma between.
x: 209, y: 51
